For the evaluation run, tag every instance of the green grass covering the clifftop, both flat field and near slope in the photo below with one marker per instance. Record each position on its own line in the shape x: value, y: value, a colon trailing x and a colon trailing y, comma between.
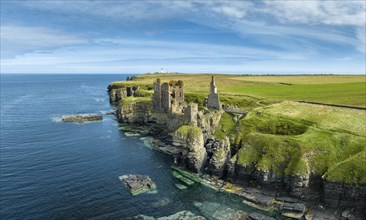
x: 279, y: 134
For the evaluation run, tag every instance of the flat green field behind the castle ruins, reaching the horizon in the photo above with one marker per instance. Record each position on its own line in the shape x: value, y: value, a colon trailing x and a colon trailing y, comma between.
x: 347, y: 90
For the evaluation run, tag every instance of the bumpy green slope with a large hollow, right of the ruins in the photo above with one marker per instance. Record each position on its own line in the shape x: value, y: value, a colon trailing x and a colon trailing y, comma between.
x: 296, y: 138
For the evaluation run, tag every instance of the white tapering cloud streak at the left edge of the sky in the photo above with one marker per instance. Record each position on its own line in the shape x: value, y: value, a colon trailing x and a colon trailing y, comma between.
x: 17, y: 40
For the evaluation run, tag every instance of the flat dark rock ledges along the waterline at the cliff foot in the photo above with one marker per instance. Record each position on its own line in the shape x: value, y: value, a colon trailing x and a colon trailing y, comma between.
x: 258, y: 196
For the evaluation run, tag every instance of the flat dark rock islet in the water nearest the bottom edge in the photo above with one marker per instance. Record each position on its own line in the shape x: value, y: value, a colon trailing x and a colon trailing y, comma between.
x: 138, y: 183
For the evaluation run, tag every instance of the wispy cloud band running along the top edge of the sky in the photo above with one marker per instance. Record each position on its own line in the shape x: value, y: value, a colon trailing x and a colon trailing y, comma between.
x: 303, y: 12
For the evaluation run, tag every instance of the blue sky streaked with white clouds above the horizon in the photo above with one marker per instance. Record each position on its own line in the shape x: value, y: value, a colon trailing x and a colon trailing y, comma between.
x: 276, y: 37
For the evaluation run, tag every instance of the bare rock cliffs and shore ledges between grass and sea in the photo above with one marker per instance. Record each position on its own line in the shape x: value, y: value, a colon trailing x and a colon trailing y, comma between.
x: 187, y: 133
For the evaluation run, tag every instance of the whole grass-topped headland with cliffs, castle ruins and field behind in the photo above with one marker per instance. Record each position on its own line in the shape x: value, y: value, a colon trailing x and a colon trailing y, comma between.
x: 223, y: 127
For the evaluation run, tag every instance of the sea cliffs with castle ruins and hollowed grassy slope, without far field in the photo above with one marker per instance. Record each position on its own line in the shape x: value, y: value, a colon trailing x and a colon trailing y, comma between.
x: 255, y: 149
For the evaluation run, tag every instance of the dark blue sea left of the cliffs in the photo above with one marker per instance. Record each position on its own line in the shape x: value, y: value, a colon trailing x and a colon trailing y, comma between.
x: 55, y: 170
